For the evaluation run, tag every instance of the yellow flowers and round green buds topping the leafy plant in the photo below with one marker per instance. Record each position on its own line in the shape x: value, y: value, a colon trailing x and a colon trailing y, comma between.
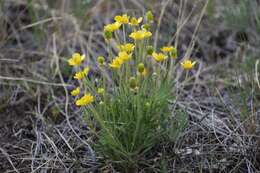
x: 133, y: 50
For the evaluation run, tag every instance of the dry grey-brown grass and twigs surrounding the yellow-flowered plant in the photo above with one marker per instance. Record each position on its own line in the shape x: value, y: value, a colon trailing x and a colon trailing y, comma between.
x: 42, y: 131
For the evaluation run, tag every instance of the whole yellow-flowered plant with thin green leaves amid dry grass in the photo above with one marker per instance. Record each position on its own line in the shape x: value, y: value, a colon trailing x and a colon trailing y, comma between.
x: 127, y: 109
